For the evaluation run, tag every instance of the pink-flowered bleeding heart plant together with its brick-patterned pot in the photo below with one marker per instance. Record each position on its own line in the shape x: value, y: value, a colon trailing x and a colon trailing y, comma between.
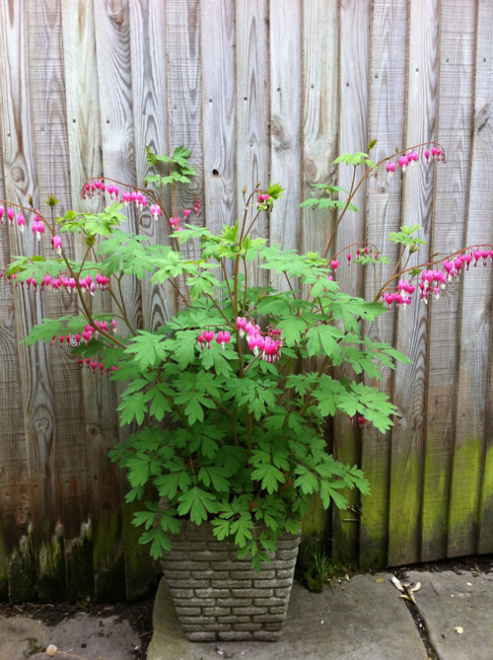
x: 231, y: 395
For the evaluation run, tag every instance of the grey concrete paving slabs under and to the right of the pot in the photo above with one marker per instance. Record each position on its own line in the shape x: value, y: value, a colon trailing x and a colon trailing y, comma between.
x: 363, y: 619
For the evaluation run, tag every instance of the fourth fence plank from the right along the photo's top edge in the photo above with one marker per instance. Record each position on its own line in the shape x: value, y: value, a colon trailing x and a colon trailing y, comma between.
x: 386, y: 124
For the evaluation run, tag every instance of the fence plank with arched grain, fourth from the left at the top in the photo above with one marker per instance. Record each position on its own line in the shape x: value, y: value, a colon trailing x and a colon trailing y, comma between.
x: 117, y: 133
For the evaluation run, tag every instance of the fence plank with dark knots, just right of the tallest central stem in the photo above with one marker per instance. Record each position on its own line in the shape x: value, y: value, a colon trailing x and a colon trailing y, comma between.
x: 285, y: 121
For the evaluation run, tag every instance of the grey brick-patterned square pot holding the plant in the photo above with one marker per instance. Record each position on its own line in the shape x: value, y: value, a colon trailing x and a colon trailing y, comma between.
x: 218, y: 596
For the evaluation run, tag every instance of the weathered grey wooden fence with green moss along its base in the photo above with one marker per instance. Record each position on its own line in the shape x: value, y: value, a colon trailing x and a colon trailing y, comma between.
x: 260, y: 90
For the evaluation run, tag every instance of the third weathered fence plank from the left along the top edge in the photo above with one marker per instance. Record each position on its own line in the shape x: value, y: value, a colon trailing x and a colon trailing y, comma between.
x: 85, y: 151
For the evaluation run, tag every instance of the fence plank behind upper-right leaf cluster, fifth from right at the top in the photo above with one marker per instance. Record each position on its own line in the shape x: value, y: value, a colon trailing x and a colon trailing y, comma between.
x: 354, y: 30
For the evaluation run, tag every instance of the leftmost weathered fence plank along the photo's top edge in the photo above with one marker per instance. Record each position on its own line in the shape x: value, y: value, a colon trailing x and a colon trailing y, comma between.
x: 40, y: 498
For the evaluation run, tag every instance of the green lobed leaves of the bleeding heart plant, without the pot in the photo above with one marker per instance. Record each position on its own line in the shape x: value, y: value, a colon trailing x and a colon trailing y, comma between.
x: 233, y: 433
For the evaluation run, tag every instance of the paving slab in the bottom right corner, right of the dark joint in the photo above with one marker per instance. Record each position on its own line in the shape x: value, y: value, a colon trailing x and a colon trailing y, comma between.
x: 458, y: 613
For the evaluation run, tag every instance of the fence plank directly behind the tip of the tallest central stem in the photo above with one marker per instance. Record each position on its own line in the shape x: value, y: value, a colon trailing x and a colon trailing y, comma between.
x: 252, y: 111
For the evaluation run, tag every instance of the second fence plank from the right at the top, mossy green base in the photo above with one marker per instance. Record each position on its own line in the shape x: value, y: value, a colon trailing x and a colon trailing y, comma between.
x: 454, y: 130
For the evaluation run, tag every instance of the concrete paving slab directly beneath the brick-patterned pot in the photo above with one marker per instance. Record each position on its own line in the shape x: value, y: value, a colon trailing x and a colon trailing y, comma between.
x: 363, y: 619
